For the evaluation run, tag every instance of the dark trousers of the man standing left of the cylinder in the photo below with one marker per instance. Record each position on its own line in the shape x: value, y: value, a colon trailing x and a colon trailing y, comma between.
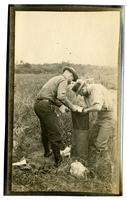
x: 50, y: 127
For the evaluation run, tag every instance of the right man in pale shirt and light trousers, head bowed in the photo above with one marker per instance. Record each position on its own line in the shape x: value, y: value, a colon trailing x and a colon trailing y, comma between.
x: 97, y: 99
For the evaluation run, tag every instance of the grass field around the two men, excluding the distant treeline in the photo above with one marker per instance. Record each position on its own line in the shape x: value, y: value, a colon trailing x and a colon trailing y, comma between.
x: 27, y: 143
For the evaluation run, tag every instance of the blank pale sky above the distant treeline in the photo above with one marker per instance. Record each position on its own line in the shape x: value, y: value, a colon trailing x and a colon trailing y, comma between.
x: 77, y: 37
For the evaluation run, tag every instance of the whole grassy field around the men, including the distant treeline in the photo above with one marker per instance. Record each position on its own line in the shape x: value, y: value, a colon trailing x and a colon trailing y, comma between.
x: 28, y: 80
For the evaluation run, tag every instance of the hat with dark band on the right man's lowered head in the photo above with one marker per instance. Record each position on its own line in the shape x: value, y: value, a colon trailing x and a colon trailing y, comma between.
x: 78, y: 86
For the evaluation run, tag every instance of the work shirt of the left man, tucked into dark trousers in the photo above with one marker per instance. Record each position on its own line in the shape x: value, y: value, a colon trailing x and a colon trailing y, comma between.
x: 55, y: 90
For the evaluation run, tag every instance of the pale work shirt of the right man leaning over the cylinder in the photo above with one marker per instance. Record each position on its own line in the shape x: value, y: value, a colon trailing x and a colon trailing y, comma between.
x: 98, y: 94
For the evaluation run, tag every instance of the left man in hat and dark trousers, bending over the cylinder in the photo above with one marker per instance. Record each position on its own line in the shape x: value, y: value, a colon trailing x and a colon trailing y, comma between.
x: 53, y: 93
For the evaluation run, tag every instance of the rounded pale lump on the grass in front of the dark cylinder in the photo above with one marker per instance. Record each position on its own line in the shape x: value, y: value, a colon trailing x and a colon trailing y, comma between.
x: 78, y: 170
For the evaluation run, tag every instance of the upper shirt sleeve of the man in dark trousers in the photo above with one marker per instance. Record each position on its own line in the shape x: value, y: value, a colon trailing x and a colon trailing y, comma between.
x: 61, y: 91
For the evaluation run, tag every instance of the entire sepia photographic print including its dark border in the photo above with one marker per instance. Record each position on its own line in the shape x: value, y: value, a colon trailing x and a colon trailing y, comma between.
x: 64, y: 95
